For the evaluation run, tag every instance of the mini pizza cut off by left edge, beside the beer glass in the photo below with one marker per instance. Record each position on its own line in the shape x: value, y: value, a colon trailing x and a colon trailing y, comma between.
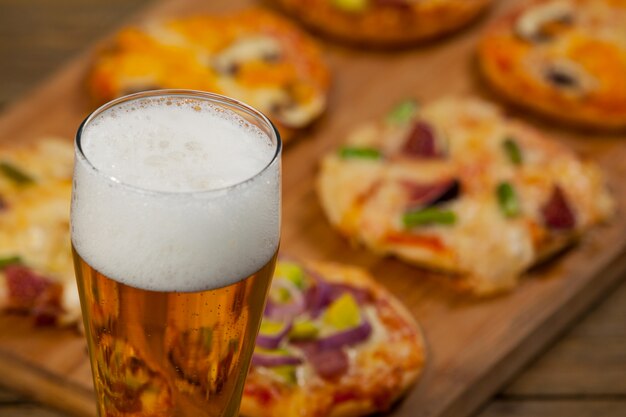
x: 36, y: 269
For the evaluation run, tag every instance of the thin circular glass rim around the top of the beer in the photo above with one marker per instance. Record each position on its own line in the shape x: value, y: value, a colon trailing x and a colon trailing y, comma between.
x: 214, y: 98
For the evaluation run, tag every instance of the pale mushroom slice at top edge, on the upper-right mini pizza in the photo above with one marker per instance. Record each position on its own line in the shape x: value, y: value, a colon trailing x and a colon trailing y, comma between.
x: 541, y: 23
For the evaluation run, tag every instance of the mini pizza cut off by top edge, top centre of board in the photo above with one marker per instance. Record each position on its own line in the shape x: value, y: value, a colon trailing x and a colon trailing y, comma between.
x: 385, y: 22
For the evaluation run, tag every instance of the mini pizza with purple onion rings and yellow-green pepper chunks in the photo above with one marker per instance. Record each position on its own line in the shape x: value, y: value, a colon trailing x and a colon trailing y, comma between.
x: 332, y: 343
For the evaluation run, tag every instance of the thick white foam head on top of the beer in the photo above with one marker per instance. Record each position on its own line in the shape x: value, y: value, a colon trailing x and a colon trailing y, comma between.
x: 167, y: 198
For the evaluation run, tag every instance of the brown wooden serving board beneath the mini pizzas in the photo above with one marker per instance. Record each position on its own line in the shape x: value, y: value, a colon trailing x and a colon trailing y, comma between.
x: 474, y: 346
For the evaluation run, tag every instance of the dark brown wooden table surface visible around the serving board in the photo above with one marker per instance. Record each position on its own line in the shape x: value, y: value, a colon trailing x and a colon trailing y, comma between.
x: 582, y: 374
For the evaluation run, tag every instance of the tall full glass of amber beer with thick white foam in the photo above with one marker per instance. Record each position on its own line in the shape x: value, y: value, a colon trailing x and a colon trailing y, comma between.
x: 175, y: 226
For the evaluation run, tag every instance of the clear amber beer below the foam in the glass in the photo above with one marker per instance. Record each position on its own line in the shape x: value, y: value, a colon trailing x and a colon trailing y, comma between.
x: 167, y: 353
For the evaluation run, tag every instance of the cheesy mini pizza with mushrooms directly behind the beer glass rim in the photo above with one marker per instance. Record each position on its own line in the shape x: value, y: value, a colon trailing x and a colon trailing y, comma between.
x: 253, y: 56
